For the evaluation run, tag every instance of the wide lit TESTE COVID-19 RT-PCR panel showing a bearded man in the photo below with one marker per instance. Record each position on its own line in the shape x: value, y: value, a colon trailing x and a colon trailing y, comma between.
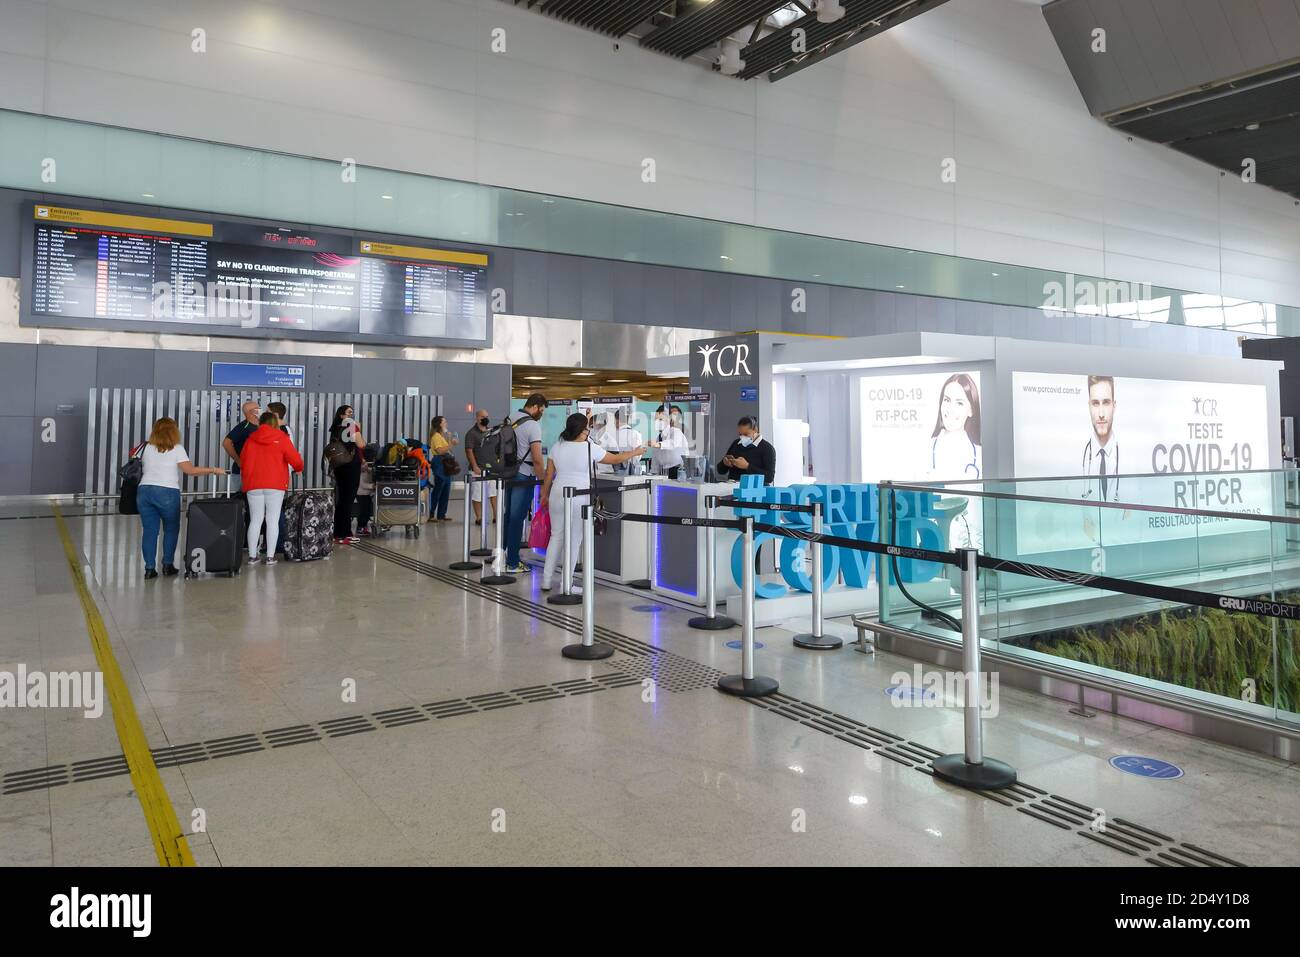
x: 1137, y: 441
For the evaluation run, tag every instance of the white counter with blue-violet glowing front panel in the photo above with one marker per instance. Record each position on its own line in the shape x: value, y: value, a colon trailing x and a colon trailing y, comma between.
x: 679, y: 551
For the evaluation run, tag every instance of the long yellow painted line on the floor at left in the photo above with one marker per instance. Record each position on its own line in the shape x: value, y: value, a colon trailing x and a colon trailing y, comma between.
x: 170, y: 841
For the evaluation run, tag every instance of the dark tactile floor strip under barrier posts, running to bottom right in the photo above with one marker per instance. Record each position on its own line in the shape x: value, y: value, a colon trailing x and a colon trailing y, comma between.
x: 1060, y: 812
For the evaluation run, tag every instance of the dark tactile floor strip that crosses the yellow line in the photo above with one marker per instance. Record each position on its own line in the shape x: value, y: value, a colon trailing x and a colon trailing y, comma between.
x: 176, y: 756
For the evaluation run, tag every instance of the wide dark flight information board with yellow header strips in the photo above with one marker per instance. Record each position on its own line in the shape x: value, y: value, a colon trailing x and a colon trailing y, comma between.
x: 92, y: 269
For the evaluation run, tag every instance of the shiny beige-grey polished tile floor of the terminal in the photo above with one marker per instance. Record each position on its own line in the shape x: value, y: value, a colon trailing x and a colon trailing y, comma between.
x: 593, y: 770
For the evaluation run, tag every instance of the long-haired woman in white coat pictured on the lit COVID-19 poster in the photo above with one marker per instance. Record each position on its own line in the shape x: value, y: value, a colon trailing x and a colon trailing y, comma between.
x: 956, y: 456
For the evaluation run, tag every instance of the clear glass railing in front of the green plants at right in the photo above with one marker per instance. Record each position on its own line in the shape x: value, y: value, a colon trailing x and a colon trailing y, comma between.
x: 1246, y: 548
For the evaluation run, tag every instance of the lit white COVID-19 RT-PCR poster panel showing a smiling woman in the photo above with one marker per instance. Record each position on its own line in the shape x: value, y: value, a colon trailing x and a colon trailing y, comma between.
x: 928, y: 427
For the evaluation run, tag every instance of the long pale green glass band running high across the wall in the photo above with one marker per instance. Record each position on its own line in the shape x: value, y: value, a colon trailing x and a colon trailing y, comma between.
x: 157, y: 170
